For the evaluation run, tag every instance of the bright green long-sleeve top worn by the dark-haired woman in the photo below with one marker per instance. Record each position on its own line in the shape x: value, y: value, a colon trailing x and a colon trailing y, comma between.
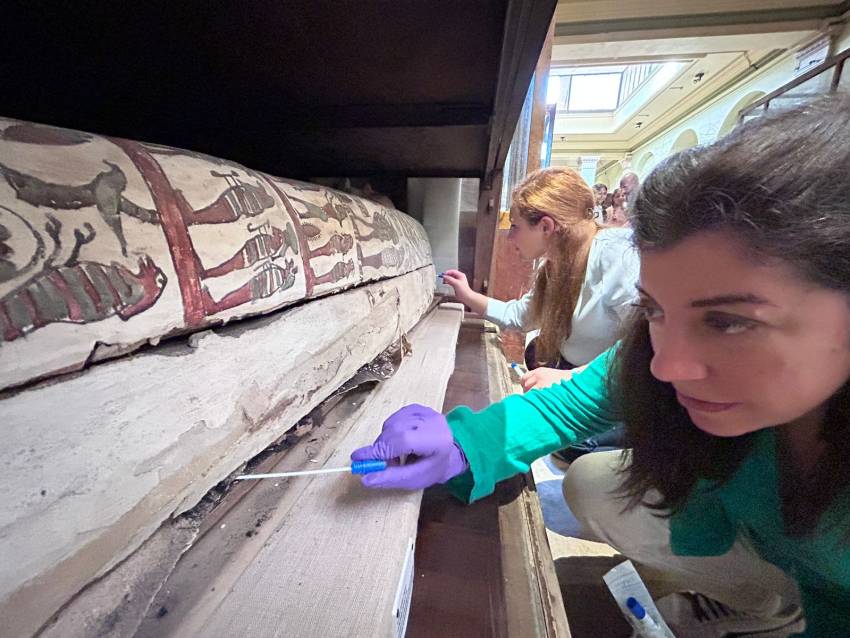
x: 504, y: 439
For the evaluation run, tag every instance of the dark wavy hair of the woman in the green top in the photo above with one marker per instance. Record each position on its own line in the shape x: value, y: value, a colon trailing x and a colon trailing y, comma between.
x: 781, y: 185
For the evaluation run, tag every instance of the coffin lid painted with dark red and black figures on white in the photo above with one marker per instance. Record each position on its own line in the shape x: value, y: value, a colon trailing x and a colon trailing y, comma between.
x: 114, y: 242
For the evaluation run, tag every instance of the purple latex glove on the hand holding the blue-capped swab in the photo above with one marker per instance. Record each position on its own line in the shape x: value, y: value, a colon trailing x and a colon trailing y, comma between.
x: 423, y: 434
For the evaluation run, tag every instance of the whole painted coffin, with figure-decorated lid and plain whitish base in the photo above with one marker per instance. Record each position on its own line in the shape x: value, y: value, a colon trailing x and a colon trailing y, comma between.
x: 108, y: 244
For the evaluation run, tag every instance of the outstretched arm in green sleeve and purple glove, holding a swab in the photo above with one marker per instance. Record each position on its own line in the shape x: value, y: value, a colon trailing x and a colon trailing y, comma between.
x: 477, y: 449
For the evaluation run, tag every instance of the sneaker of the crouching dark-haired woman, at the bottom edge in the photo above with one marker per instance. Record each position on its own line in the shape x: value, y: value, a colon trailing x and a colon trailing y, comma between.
x: 692, y: 615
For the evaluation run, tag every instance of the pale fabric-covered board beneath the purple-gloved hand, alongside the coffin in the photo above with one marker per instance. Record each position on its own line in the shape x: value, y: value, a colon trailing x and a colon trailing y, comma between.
x: 335, y: 562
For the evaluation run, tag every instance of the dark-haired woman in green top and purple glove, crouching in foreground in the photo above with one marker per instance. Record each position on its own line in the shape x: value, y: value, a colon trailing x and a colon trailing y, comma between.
x: 733, y: 383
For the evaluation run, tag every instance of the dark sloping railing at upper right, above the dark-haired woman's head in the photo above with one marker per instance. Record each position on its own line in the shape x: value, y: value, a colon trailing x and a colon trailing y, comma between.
x: 812, y: 83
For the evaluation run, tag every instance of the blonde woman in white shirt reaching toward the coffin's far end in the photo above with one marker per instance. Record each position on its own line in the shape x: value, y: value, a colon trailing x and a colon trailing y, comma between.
x: 581, y: 291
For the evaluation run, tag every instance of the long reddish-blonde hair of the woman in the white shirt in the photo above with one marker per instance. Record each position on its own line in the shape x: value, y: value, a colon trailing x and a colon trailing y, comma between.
x: 562, y: 194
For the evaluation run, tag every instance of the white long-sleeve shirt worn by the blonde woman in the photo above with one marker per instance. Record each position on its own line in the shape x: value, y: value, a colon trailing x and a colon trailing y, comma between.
x: 605, y: 299
